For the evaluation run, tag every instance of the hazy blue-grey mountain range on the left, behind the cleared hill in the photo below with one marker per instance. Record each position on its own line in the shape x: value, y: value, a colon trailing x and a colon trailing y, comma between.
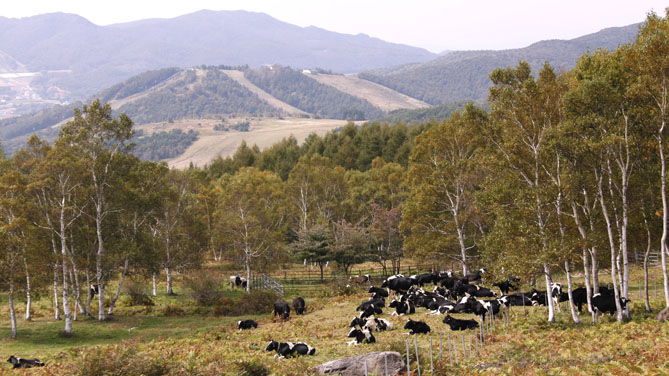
x: 99, y: 56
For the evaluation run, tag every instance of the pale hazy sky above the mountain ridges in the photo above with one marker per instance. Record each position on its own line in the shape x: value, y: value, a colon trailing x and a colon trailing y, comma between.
x: 436, y: 25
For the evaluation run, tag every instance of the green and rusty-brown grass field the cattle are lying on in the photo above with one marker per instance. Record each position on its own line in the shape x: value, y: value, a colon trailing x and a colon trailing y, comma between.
x: 202, y: 344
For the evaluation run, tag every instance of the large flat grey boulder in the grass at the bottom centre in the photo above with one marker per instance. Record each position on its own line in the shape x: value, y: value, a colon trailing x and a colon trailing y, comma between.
x: 355, y: 365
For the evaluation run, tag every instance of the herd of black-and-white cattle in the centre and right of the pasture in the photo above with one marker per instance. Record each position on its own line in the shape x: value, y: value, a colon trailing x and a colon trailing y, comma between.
x: 450, y: 294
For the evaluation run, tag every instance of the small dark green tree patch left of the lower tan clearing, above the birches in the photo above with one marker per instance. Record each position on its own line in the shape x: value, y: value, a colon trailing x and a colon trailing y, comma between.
x: 163, y: 145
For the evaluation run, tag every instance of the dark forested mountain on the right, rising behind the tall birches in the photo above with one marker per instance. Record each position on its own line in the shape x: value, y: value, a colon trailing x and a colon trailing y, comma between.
x: 463, y: 75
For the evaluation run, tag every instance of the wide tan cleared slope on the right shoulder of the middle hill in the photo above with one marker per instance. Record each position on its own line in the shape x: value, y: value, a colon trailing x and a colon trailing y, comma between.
x: 380, y: 96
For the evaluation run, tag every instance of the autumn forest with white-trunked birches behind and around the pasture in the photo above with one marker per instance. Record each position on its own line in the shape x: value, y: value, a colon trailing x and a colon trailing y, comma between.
x: 566, y: 173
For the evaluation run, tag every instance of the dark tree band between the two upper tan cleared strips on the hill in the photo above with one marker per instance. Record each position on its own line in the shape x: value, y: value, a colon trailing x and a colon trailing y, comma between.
x: 309, y: 95
